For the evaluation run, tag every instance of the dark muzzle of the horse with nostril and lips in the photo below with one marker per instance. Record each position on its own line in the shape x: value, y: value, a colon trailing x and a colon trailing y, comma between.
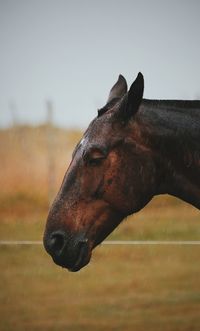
x: 71, y: 252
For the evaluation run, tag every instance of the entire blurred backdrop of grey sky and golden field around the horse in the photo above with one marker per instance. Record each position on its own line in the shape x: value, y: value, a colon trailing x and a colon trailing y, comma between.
x: 58, y: 61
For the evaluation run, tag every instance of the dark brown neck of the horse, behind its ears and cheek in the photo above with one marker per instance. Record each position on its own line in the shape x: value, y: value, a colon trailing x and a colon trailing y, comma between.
x: 172, y: 129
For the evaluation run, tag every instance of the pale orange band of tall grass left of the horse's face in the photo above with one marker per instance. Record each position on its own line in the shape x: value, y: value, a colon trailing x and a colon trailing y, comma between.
x: 25, y: 153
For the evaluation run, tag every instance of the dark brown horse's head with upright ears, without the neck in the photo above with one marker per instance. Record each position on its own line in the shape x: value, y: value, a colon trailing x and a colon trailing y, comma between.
x: 111, y: 175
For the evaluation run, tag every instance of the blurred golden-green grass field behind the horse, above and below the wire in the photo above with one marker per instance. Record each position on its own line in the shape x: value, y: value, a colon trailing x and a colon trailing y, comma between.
x: 123, y: 288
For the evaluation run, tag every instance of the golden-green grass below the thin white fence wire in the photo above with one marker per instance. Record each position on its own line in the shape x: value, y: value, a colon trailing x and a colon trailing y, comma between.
x: 124, y: 288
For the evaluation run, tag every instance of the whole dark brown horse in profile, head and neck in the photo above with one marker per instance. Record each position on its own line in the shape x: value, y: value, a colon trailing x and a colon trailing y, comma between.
x: 133, y: 150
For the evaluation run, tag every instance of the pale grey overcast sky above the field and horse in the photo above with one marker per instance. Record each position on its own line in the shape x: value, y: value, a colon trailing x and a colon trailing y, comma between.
x: 72, y: 51
